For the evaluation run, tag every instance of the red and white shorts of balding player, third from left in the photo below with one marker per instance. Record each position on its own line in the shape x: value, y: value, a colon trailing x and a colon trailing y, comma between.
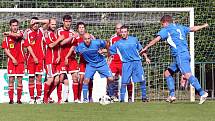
x: 52, y: 70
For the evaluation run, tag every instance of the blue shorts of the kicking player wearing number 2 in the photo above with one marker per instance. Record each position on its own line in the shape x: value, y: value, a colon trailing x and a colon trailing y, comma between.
x: 181, y: 63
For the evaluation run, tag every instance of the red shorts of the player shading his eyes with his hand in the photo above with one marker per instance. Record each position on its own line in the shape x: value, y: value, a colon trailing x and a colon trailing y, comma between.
x: 35, y: 68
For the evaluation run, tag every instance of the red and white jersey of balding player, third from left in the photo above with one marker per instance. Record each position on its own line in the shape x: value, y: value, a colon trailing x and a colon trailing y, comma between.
x: 51, y: 53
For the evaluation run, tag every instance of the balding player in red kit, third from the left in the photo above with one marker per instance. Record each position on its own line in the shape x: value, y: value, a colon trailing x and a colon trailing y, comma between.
x: 52, y: 61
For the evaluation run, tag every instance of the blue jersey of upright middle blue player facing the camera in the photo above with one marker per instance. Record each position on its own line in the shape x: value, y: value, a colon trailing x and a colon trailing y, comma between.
x: 128, y: 49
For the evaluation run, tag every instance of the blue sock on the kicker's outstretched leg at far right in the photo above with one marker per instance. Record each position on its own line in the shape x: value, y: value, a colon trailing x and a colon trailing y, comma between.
x: 195, y: 83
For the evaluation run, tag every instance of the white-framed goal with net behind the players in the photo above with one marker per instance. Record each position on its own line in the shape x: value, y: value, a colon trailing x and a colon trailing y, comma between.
x: 143, y: 23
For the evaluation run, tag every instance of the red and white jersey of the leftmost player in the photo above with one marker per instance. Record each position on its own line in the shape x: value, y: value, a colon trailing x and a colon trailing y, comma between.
x: 15, y: 46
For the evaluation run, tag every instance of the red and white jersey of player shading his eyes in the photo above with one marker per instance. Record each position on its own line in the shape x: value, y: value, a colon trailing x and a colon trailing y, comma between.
x: 35, y: 39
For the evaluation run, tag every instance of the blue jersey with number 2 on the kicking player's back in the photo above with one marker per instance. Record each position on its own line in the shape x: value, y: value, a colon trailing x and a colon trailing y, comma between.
x: 175, y: 35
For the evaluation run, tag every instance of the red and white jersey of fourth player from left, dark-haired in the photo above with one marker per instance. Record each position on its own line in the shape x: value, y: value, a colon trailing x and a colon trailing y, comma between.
x: 66, y: 47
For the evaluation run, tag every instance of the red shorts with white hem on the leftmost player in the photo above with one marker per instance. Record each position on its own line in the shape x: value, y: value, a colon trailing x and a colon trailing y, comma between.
x: 17, y: 70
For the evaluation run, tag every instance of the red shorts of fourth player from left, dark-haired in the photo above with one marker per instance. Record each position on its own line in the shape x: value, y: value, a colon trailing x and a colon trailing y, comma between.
x: 72, y: 67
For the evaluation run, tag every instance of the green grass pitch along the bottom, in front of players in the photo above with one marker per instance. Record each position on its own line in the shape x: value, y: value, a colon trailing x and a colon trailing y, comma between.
x: 138, y: 111
